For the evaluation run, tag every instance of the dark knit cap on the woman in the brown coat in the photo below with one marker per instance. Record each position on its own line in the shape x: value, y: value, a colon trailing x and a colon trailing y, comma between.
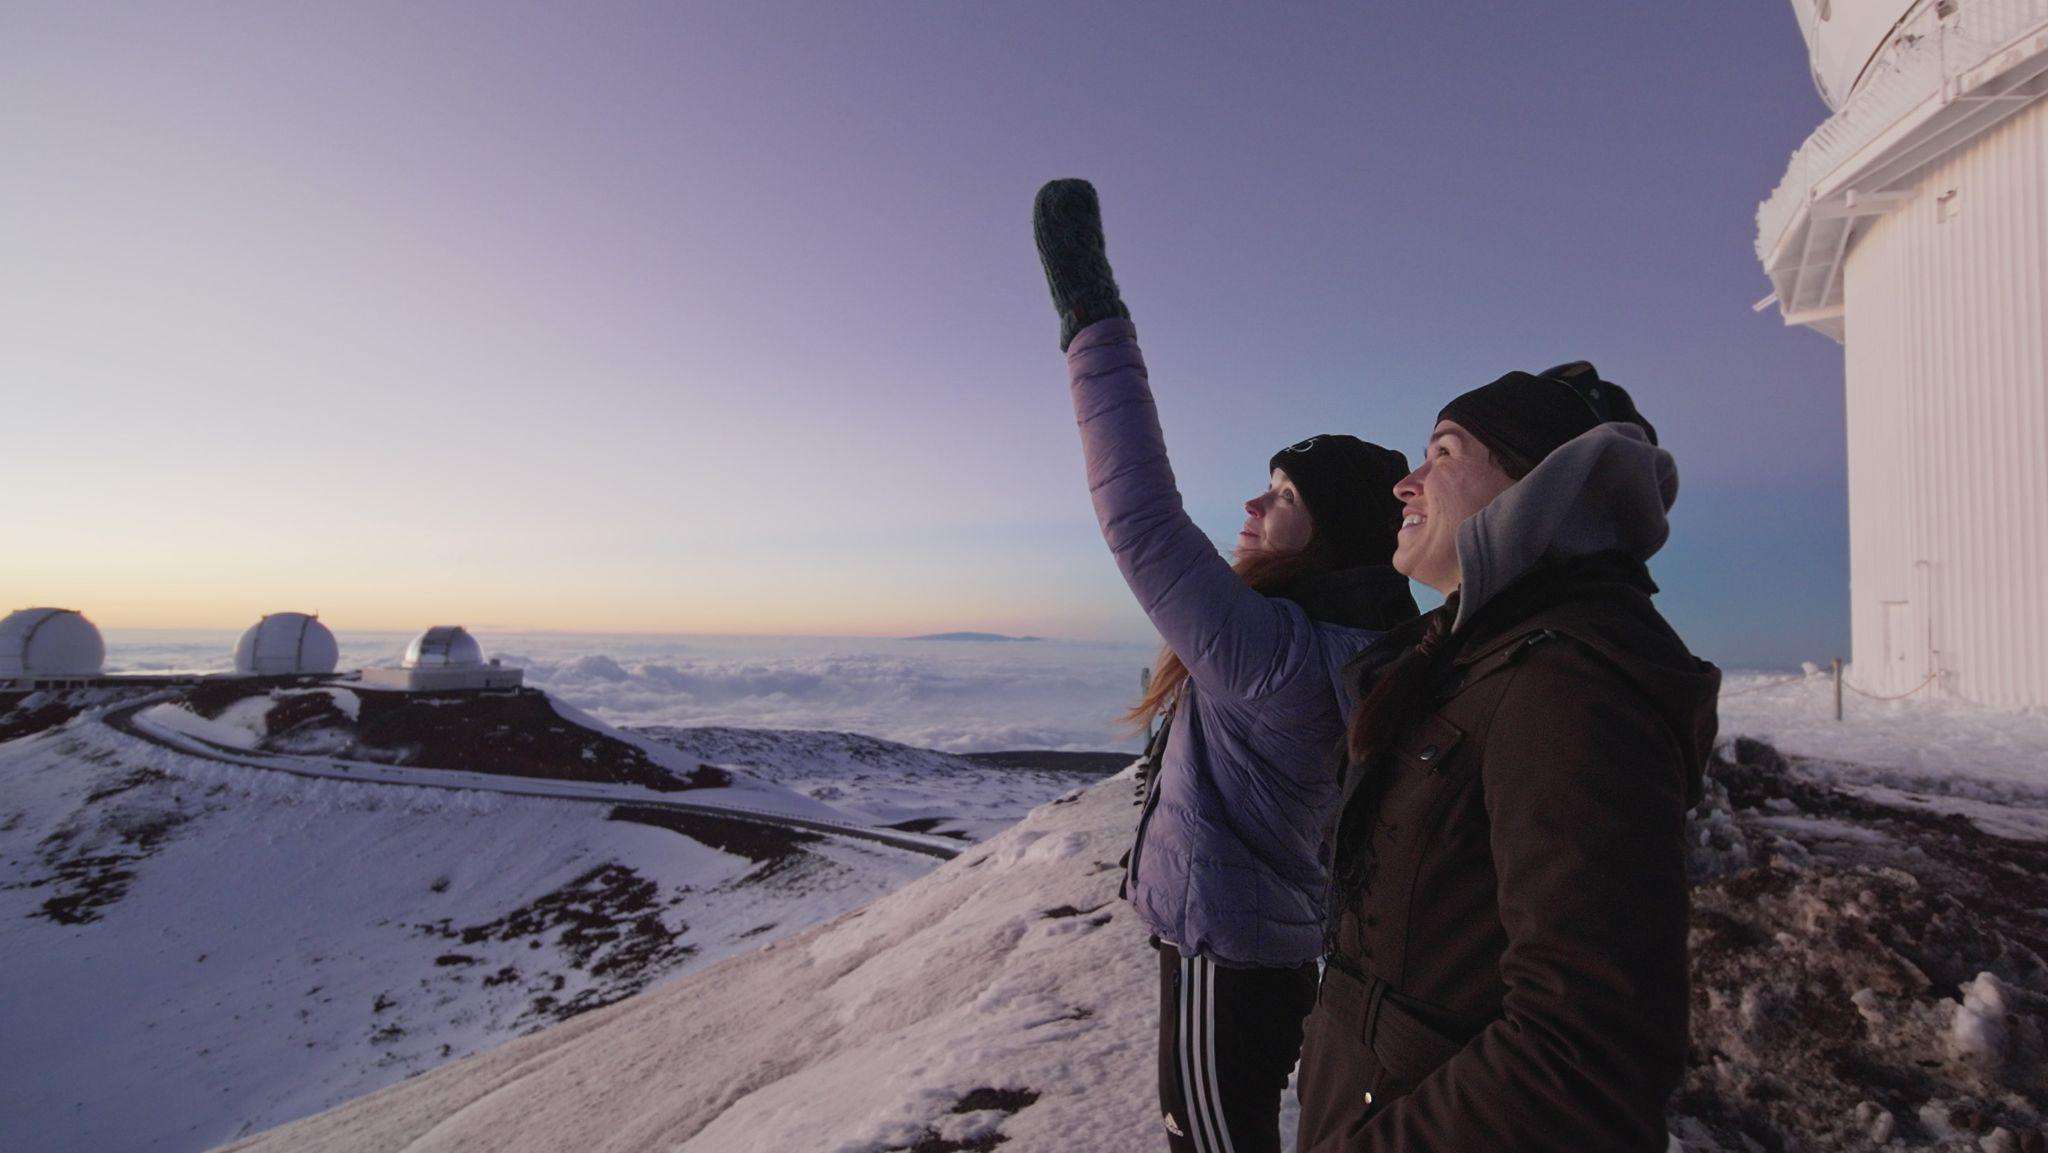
x: 1523, y: 419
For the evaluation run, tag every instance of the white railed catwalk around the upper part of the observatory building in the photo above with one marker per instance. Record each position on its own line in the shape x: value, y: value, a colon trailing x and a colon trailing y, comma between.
x: 1918, y: 62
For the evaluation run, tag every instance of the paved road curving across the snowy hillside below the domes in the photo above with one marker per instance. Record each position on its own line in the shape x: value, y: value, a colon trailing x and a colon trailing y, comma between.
x: 124, y: 720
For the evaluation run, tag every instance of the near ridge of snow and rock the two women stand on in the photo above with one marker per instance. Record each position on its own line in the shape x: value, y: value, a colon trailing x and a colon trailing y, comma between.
x: 1842, y: 998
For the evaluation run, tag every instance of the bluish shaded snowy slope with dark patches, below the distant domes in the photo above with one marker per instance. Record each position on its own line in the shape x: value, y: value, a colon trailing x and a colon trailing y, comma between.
x: 198, y: 951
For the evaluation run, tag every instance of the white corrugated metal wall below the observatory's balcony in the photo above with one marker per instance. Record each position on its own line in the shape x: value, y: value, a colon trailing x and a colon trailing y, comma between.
x: 1947, y: 310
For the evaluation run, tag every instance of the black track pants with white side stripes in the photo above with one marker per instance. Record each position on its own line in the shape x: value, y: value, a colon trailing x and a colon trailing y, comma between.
x: 1228, y: 1043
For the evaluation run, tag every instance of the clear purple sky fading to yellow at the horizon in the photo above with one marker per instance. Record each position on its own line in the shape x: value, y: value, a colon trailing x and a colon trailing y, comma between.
x: 726, y: 318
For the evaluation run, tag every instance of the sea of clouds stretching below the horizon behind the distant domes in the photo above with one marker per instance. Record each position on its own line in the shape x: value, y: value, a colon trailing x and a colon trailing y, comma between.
x: 945, y: 695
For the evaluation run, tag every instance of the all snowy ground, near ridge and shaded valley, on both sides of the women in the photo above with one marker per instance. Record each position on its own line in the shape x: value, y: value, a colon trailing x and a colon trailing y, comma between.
x: 239, y: 949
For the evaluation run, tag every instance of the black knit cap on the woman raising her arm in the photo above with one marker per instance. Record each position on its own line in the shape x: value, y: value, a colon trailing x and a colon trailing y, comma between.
x: 1351, y: 493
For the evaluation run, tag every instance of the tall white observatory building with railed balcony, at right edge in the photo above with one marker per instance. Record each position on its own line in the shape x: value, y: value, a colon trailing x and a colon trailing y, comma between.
x: 1914, y: 228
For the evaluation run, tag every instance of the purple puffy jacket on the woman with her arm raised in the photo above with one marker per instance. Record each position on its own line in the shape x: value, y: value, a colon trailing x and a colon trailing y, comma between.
x: 1232, y: 849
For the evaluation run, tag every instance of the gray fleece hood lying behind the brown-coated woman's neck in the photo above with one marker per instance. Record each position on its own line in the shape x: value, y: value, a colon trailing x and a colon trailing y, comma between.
x: 1603, y: 490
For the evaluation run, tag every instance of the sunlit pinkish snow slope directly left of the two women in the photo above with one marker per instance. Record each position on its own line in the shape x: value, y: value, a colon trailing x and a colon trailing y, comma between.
x: 1005, y: 978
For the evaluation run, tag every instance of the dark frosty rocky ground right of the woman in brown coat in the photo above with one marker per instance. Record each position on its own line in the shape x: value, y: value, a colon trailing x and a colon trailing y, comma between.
x: 1826, y: 974
